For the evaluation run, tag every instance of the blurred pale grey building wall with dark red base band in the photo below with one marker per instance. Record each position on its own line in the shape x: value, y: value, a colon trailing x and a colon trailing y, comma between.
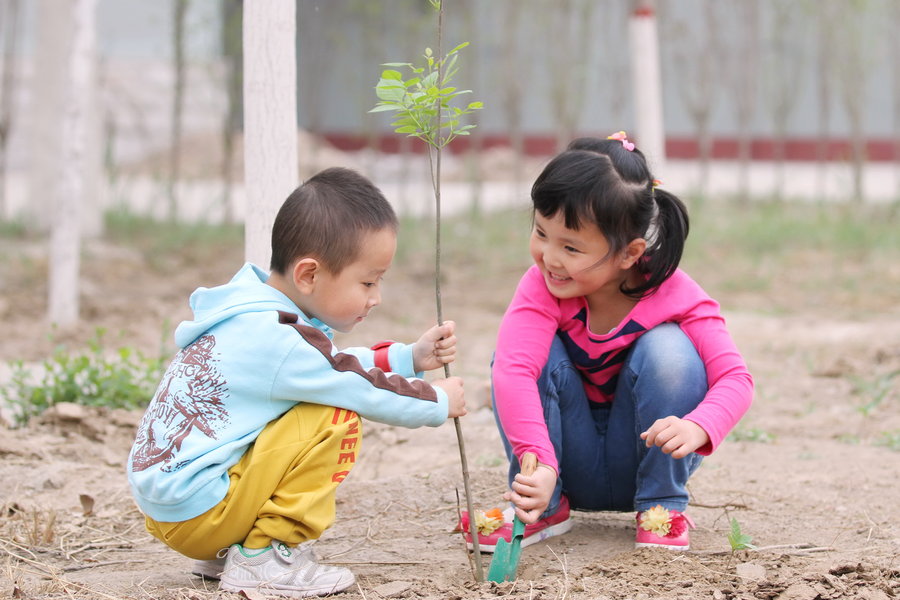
x: 774, y: 79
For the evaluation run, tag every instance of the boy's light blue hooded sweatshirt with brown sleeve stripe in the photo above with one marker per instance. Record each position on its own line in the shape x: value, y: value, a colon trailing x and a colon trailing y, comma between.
x: 249, y: 356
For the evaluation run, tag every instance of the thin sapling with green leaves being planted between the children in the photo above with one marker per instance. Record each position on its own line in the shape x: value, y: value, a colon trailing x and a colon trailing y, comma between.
x: 424, y: 111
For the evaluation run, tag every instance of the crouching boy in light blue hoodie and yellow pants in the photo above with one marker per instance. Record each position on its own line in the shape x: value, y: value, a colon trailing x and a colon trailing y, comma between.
x: 256, y: 420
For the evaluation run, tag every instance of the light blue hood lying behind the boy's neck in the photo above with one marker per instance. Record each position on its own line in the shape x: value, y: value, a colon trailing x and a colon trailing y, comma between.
x: 246, y: 292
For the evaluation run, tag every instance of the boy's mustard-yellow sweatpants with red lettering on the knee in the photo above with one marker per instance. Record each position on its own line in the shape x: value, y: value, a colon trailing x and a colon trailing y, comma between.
x: 282, y: 489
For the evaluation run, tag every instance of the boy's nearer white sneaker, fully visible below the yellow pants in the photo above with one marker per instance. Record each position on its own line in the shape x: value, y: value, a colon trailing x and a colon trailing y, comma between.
x: 283, y: 571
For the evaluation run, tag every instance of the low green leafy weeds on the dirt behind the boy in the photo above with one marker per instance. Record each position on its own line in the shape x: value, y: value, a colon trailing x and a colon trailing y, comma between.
x: 123, y: 379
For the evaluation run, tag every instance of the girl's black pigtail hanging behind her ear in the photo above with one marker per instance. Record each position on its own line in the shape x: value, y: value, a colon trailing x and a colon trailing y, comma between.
x: 664, y: 250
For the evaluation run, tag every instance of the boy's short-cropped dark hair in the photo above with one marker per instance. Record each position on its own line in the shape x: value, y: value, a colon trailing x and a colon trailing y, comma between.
x: 326, y: 217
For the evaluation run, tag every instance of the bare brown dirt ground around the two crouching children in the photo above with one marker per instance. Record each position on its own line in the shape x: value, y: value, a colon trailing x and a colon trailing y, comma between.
x: 811, y: 474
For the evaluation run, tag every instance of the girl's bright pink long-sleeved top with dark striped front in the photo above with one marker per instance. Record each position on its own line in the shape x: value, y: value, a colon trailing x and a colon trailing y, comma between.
x: 535, y: 315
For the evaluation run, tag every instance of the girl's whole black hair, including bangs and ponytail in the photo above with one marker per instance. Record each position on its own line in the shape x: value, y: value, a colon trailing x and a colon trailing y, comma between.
x: 600, y: 181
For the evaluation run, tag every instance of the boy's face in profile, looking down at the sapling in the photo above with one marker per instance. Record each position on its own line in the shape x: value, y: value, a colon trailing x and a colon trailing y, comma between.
x: 342, y: 300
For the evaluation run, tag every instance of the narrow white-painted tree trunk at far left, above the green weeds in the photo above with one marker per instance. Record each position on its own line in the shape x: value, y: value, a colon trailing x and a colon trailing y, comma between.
x: 65, y: 243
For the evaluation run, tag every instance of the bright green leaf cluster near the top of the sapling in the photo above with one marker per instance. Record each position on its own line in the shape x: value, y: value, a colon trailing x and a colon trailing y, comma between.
x: 423, y: 103
